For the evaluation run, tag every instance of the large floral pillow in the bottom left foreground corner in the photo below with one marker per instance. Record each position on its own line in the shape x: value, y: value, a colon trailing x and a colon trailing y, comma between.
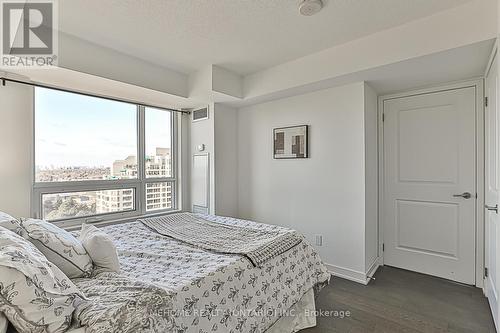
x: 34, y: 294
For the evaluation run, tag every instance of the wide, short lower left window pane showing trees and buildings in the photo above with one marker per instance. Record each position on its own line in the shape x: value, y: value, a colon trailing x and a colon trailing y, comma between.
x: 81, y: 204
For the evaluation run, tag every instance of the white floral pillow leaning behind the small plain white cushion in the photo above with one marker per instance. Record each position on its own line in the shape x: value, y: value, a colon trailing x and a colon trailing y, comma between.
x: 59, y: 246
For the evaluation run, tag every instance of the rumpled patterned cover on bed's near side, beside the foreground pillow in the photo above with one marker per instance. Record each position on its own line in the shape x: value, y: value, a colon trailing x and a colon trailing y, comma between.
x: 120, y: 304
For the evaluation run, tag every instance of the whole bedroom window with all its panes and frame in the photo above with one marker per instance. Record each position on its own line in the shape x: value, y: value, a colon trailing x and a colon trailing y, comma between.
x: 98, y: 159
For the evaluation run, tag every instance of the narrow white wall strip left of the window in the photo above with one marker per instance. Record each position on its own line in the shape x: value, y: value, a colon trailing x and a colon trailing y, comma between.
x: 16, y: 140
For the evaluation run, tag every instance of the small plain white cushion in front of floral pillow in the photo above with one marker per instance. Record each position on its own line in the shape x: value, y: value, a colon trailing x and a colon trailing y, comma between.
x: 101, y: 248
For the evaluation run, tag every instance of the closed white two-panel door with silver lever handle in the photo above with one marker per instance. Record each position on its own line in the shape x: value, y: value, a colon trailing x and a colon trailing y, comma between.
x: 429, y: 189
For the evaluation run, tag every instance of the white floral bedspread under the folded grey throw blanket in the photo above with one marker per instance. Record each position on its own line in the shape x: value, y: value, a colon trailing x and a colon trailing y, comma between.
x: 218, y: 292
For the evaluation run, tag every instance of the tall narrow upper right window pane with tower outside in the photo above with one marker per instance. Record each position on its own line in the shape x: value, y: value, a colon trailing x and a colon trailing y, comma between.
x: 158, y: 129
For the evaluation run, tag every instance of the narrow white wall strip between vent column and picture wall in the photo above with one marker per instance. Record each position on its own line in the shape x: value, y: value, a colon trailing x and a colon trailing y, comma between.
x: 226, y: 160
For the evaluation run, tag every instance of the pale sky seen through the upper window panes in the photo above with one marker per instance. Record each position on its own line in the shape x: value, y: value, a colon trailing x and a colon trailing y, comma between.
x: 77, y: 130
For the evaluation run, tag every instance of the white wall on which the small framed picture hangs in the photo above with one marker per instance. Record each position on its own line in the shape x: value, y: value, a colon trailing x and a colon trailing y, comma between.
x: 324, y: 194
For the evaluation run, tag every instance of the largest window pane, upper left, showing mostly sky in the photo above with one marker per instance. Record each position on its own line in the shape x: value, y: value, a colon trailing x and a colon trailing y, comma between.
x: 79, y: 137
